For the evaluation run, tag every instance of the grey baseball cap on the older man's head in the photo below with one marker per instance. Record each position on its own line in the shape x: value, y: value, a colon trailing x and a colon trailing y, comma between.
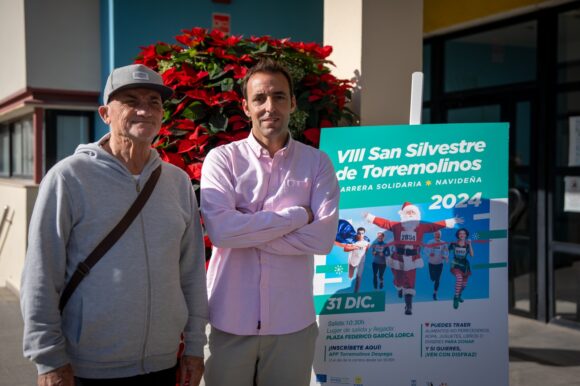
x: 135, y: 76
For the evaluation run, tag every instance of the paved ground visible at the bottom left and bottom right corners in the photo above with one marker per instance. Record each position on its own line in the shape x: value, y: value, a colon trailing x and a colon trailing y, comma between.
x: 540, y: 354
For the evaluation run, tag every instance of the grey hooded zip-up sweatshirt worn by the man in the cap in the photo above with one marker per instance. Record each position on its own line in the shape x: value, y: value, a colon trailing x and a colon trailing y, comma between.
x: 126, y: 316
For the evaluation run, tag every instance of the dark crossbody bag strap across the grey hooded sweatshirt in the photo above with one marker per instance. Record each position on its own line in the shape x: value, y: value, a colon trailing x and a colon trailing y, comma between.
x: 84, y: 267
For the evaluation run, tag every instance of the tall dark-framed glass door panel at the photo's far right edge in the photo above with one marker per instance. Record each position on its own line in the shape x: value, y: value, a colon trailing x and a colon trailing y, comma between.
x: 565, y: 209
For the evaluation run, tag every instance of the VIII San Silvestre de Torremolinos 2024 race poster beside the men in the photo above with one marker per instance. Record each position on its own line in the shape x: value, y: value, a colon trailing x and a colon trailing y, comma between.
x: 419, y: 205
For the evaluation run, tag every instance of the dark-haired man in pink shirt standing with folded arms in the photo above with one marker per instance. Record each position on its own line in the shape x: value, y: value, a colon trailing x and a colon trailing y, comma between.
x: 269, y: 204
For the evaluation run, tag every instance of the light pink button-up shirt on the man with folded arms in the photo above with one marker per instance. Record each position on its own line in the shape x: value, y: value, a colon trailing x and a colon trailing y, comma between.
x: 261, y: 271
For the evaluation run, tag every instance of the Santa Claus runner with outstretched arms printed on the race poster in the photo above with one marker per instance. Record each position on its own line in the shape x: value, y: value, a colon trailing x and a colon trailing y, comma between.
x: 408, y: 236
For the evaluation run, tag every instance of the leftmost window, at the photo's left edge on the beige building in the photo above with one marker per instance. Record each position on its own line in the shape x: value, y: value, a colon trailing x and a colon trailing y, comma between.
x: 16, y: 143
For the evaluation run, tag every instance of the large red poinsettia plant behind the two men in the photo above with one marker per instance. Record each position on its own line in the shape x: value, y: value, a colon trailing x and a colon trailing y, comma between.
x: 205, y: 70
